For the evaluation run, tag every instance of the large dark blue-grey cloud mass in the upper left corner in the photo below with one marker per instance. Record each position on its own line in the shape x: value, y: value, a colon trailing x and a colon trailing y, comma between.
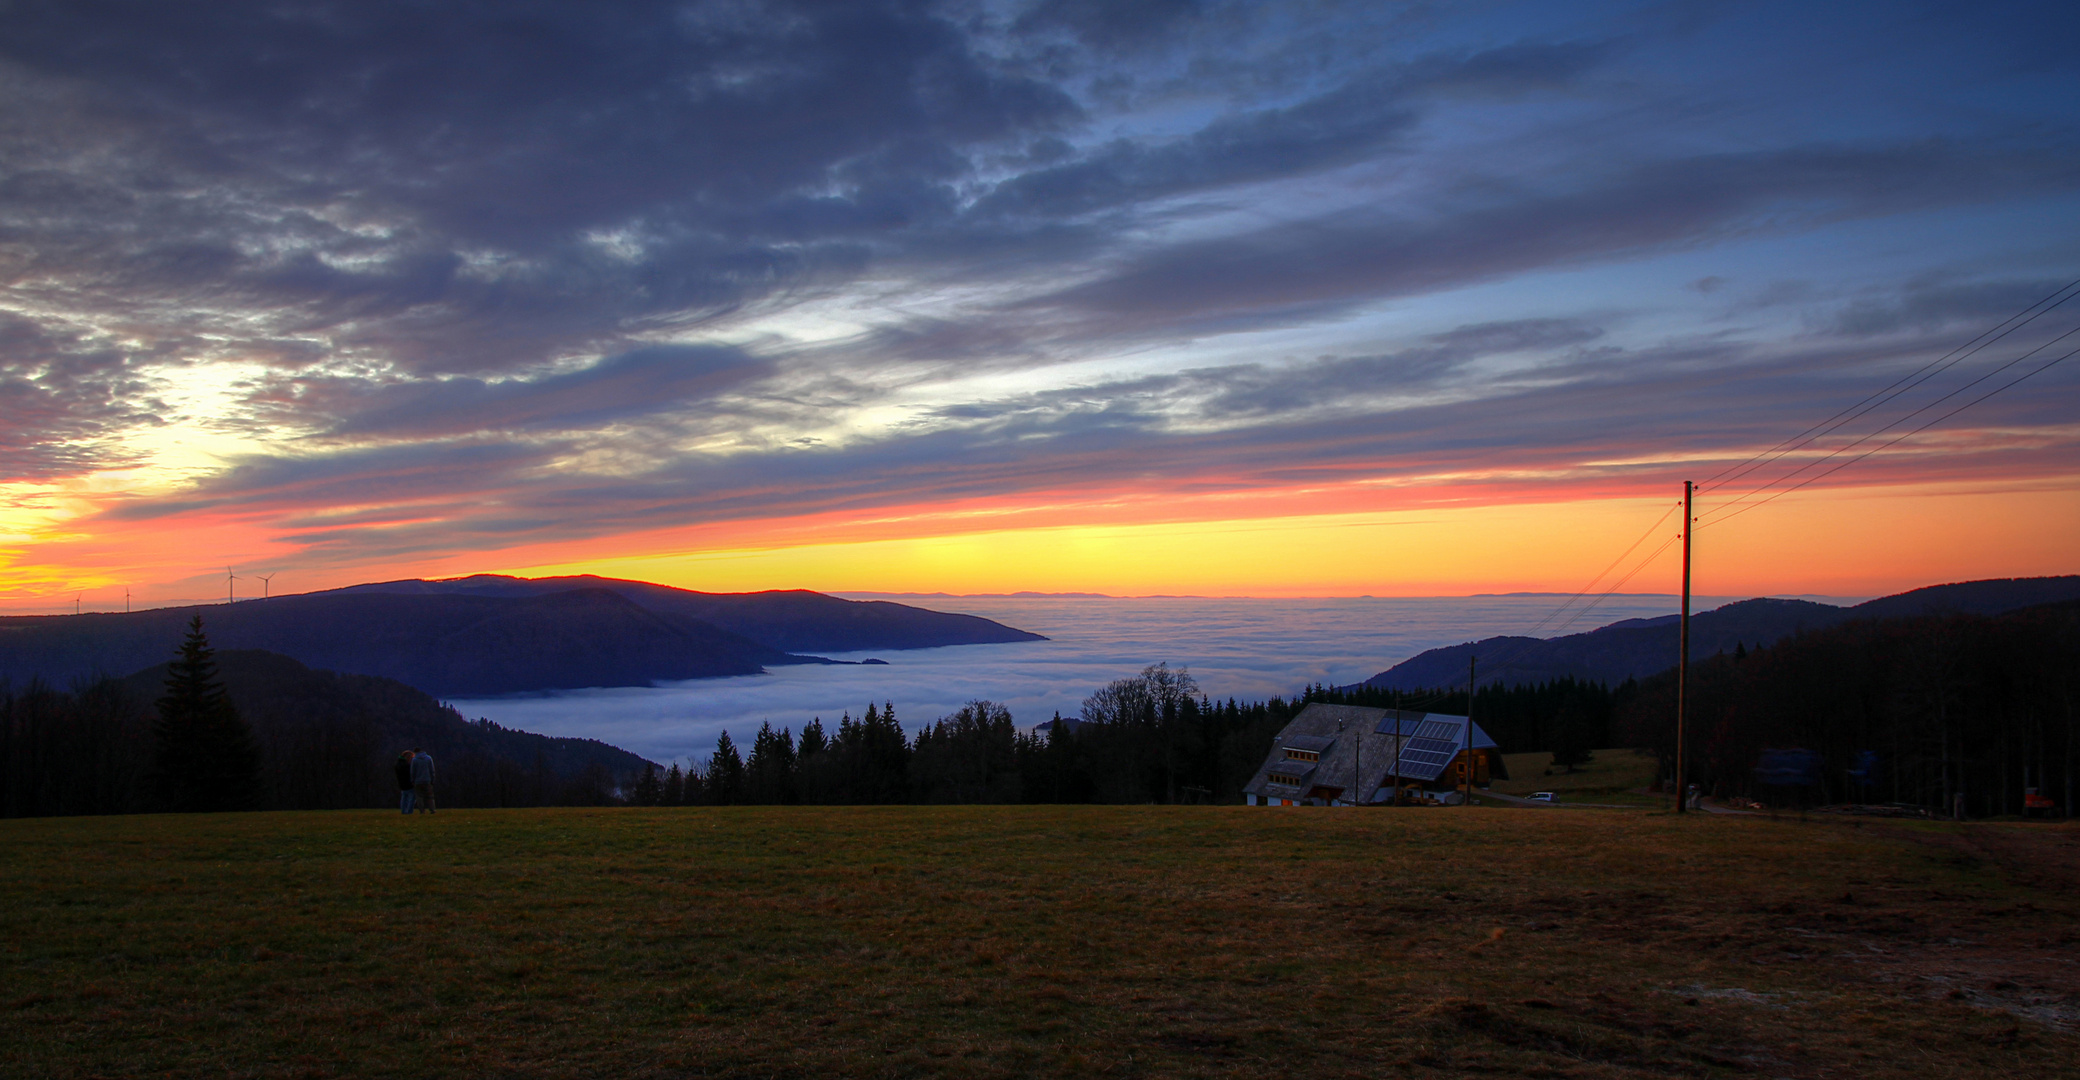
x: 469, y: 188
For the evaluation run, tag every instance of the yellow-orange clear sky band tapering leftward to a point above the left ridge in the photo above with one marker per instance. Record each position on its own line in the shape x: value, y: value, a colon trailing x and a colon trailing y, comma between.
x: 1838, y: 544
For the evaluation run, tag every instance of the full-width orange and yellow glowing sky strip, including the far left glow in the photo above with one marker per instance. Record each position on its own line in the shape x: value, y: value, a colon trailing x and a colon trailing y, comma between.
x: 1328, y: 540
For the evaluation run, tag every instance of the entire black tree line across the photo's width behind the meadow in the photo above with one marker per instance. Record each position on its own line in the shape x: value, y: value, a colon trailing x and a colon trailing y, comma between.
x: 1915, y: 711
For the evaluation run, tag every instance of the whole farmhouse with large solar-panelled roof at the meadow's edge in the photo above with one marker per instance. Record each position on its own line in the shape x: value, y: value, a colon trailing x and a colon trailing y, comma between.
x: 1351, y: 754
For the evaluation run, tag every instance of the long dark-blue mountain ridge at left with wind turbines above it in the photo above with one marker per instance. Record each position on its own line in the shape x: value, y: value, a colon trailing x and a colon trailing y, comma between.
x: 492, y: 636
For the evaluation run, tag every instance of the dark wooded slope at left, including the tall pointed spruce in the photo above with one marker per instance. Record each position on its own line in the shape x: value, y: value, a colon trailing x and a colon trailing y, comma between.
x: 278, y: 738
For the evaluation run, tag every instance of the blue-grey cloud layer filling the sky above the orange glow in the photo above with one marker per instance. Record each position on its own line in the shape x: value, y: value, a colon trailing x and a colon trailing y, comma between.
x: 567, y: 251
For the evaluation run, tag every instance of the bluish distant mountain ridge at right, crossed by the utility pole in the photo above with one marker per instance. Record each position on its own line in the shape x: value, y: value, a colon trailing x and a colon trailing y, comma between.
x: 1638, y: 648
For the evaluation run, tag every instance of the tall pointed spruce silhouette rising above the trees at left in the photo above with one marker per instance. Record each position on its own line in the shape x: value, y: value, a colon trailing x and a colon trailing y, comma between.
x: 205, y: 754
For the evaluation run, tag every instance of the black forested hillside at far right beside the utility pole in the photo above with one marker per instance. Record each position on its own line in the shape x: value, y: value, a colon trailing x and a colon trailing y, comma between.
x: 1898, y: 711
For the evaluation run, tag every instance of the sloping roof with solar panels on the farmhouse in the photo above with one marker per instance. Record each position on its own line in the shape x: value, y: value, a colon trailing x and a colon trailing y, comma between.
x: 1359, y: 748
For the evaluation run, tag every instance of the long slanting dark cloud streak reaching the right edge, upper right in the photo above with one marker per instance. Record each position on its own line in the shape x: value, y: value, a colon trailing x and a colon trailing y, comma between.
x: 1357, y: 257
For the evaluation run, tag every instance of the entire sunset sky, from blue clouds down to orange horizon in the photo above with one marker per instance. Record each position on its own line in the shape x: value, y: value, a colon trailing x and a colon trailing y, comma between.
x: 1166, y: 297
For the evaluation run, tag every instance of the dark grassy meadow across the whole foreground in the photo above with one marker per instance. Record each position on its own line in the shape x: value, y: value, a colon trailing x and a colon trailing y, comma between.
x: 1035, y: 942
